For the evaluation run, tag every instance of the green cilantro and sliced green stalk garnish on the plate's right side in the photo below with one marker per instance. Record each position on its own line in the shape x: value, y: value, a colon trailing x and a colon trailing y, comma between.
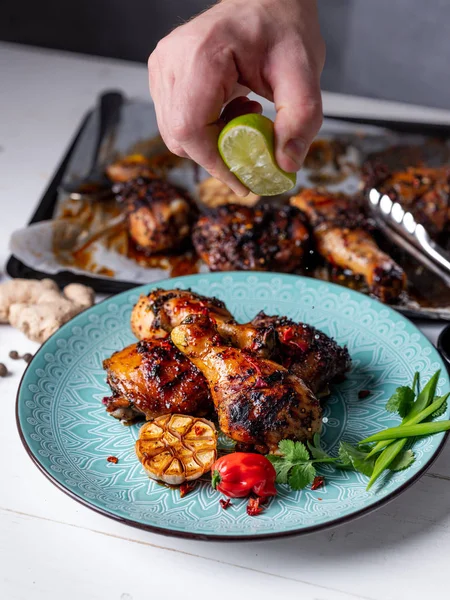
x: 295, y: 463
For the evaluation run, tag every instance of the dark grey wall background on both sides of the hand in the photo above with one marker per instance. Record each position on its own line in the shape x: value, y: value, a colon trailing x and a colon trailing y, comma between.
x: 398, y: 50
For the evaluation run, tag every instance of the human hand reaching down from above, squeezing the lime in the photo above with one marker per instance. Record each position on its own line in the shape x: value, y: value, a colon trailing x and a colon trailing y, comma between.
x: 271, y: 47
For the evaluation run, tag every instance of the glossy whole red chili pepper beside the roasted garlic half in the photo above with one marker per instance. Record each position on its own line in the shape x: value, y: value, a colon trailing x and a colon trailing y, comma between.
x: 240, y: 473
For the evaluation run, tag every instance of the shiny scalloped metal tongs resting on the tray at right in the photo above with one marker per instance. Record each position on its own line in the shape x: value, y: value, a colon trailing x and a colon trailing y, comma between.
x: 401, y: 227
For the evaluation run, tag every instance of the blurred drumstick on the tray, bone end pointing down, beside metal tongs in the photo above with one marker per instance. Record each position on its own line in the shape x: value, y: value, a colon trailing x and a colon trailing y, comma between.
x: 341, y: 235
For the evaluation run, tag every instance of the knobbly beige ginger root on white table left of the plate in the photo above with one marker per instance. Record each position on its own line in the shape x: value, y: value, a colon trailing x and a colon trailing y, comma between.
x: 39, y: 308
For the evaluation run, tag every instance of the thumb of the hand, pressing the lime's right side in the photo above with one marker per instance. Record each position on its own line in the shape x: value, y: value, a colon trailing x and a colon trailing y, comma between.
x: 298, y: 102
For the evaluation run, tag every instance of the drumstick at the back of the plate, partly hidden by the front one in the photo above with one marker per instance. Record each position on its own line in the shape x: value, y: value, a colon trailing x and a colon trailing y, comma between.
x: 156, y: 314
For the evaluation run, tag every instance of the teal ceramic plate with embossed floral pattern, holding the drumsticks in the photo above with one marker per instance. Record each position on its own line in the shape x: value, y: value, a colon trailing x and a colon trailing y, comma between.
x: 69, y: 435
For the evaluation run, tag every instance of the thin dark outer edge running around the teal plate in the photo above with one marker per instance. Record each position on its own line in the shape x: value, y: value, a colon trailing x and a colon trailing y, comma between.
x: 221, y: 538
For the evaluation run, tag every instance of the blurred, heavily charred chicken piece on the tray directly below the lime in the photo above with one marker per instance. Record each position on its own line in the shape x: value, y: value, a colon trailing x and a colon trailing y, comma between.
x: 234, y: 237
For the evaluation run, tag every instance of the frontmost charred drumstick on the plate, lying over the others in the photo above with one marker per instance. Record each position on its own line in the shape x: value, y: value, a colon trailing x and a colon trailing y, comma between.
x: 258, y: 402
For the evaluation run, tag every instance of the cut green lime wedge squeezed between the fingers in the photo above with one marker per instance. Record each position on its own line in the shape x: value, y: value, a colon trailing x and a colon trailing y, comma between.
x: 246, y: 145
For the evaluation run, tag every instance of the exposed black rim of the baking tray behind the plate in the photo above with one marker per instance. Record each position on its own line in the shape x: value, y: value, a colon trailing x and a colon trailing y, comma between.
x: 16, y: 268
